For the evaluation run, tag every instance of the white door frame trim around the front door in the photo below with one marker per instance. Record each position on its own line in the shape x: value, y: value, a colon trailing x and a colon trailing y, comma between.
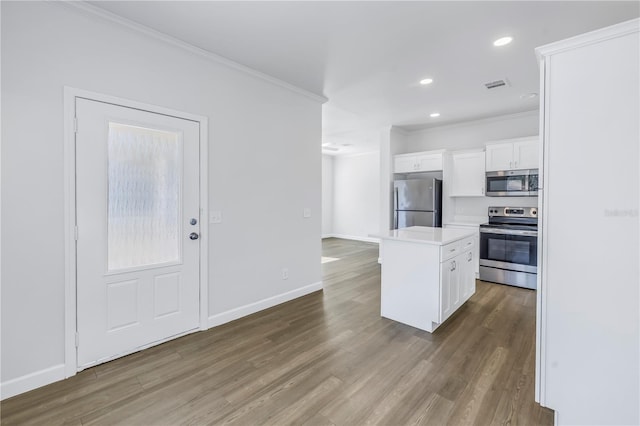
x: 70, y: 95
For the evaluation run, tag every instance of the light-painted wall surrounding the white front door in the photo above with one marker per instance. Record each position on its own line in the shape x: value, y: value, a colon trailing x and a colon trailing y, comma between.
x: 264, y: 165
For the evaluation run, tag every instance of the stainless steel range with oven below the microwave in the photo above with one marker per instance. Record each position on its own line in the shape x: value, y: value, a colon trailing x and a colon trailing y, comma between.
x: 509, y: 246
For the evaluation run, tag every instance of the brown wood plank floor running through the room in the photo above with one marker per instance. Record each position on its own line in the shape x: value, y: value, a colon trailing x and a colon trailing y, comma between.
x: 326, y: 358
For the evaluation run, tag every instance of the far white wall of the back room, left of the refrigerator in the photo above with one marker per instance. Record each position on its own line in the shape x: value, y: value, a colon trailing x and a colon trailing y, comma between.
x: 356, y: 191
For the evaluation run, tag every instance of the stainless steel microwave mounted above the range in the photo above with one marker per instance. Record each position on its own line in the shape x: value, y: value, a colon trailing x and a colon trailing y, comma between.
x: 512, y: 183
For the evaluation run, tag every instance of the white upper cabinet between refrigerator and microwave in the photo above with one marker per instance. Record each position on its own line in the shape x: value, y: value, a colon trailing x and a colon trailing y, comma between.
x: 468, y: 174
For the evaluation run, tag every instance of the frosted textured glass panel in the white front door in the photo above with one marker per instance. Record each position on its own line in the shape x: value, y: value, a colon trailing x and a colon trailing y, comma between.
x: 144, y: 197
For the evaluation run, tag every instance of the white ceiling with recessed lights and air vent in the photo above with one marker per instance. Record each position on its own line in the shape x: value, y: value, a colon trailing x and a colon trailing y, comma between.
x: 367, y: 57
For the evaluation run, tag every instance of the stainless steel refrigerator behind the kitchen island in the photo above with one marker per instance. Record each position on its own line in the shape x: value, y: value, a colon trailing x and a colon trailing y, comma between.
x: 417, y: 202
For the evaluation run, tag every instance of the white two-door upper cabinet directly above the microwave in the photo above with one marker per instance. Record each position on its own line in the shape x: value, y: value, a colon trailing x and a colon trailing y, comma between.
x: 515, y: 154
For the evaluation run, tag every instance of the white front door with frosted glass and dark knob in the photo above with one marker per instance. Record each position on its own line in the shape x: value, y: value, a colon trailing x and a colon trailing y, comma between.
x: 137, y: 201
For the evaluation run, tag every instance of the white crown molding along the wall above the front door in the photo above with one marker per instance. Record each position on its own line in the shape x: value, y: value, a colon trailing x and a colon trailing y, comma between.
x: 87, y: 8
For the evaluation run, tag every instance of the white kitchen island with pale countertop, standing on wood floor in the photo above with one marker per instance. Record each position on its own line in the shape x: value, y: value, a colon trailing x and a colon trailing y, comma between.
x: 427, y: 274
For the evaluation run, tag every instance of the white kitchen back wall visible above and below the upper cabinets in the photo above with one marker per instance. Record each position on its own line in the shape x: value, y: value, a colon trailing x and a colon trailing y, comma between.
x: 474, y: 134
